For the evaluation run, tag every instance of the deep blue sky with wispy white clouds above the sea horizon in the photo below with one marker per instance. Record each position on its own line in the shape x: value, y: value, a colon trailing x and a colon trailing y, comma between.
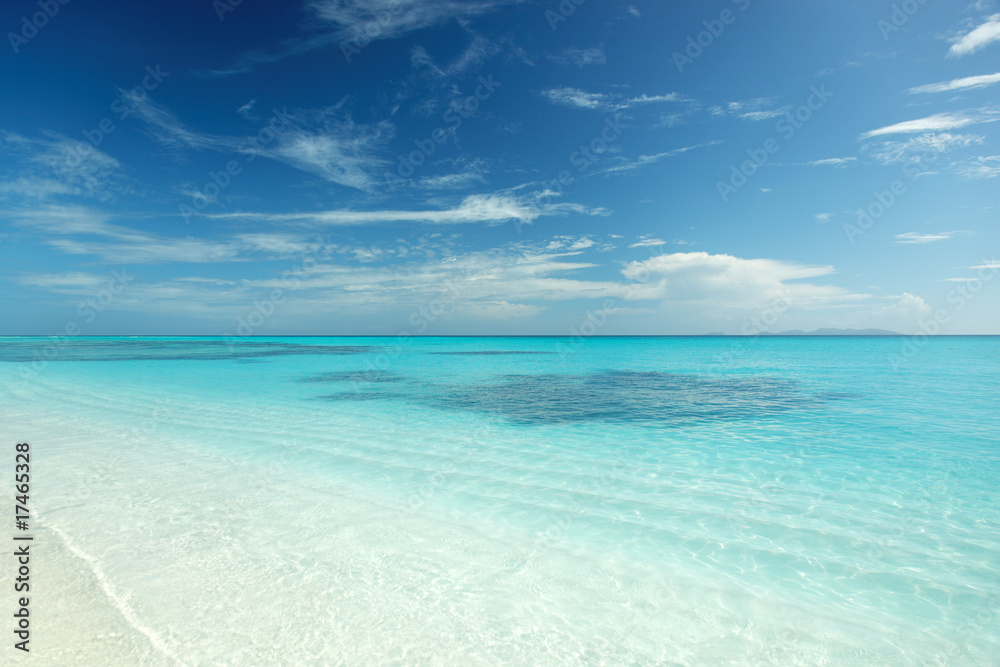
x: 498, y: 167
